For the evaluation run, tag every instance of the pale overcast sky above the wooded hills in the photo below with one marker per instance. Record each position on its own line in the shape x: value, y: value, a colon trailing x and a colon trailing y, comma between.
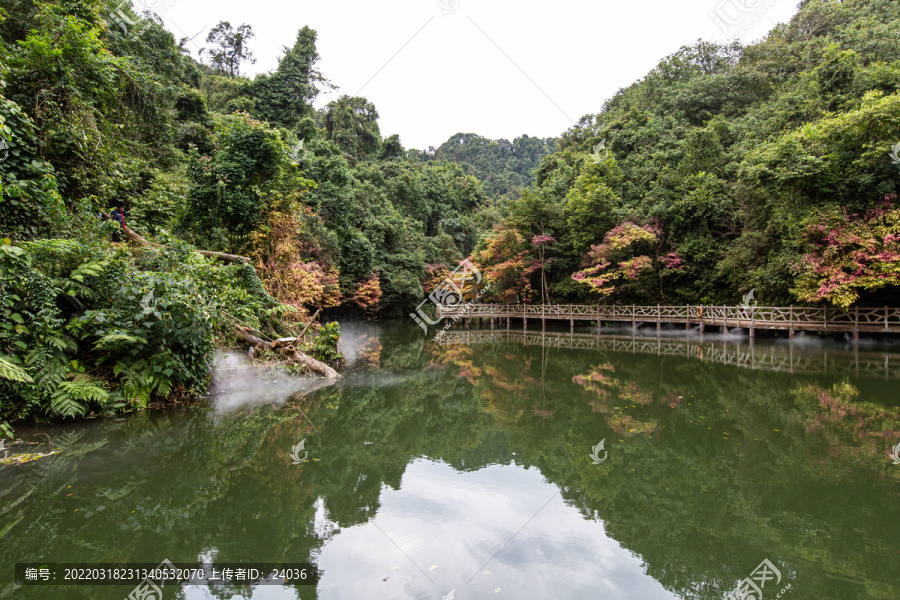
x: 498, y: 68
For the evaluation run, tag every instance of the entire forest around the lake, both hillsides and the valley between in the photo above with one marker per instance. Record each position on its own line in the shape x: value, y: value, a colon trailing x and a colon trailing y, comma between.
x: 725, y: 168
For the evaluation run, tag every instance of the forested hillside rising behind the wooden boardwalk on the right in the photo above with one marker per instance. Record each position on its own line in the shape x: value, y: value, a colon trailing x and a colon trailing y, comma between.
x: 724, y: 169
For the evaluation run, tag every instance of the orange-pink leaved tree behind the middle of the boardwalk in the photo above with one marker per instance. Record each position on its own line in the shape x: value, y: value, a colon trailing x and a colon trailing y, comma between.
x: 629, y: 253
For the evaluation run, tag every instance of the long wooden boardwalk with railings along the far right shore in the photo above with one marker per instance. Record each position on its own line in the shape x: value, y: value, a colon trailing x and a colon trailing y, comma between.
x: 790, y: 319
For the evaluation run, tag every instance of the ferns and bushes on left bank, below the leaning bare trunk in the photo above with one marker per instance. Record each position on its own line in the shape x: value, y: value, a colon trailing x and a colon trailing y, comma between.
x: 99, y: 328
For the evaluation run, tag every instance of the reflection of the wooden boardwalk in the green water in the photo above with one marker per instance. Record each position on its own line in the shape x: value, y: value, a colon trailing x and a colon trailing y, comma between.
x: 770, y: 357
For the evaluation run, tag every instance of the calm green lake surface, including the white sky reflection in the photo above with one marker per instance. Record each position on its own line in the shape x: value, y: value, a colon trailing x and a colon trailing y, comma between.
x: 467, y: 468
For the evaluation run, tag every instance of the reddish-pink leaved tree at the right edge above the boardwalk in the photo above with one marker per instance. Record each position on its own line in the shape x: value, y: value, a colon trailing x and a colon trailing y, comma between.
x: 850, y: 254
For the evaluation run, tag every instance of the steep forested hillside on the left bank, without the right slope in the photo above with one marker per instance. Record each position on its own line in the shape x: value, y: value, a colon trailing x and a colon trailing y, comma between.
x: 101, y: 109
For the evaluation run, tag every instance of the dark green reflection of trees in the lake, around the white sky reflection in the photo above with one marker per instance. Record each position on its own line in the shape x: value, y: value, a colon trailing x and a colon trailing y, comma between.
x: 698, y: 482
